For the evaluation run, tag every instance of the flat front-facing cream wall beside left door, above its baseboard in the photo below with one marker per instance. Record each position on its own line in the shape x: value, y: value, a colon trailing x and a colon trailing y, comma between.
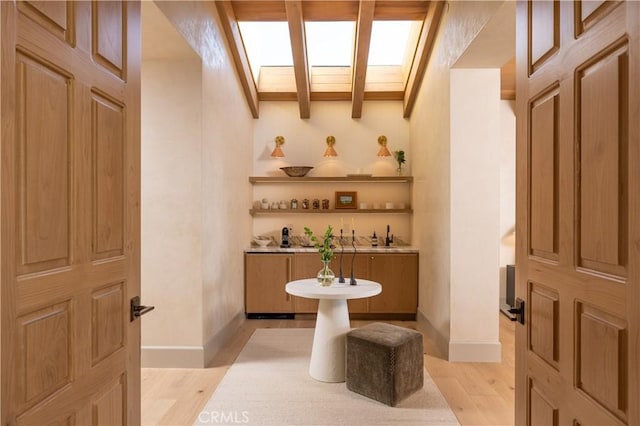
x: 171, y: 204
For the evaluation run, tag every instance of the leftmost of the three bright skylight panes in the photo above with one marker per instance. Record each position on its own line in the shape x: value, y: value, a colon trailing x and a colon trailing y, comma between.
x: 266, y: 44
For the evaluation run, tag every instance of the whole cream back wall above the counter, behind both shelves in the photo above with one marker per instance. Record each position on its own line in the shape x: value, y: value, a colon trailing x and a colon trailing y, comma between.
x: 357, y: 147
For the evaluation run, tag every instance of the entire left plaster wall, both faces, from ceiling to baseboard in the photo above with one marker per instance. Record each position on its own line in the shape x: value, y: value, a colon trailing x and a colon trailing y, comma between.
x: 197, y: 182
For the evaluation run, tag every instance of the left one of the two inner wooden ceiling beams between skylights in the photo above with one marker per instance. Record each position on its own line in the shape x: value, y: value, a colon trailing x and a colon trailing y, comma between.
x: 299, y: 50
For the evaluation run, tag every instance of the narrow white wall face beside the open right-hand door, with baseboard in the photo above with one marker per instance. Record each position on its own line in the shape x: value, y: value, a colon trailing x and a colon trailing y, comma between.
x: 475, y: 214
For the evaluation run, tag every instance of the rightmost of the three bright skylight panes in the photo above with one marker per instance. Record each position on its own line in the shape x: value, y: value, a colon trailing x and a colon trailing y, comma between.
x: 391, y: 41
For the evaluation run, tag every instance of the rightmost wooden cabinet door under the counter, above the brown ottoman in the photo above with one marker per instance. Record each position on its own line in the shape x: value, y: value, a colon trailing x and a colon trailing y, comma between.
x: 398, y: 275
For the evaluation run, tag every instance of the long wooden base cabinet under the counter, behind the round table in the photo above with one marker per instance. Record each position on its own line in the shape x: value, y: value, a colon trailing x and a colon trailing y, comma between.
x: 266, y: 275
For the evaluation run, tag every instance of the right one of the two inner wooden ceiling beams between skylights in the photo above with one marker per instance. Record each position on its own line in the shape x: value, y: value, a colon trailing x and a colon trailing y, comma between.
x: 361, y: 57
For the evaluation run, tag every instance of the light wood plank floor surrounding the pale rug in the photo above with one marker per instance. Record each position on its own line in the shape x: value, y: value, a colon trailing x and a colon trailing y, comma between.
x: 478, y: 393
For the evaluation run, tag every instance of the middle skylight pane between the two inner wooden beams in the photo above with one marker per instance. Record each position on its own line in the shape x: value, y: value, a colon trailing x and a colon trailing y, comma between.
x: 330, y: 43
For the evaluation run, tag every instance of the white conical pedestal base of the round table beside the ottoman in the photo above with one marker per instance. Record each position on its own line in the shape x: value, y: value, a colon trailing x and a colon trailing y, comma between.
x: 328, y: 352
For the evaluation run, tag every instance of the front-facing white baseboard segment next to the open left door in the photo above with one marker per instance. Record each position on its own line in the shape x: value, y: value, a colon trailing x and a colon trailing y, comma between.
x: 172, y: 357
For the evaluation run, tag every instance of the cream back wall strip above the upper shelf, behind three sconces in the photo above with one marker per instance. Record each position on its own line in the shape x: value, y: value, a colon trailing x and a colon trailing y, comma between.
x: 305, y: 140
